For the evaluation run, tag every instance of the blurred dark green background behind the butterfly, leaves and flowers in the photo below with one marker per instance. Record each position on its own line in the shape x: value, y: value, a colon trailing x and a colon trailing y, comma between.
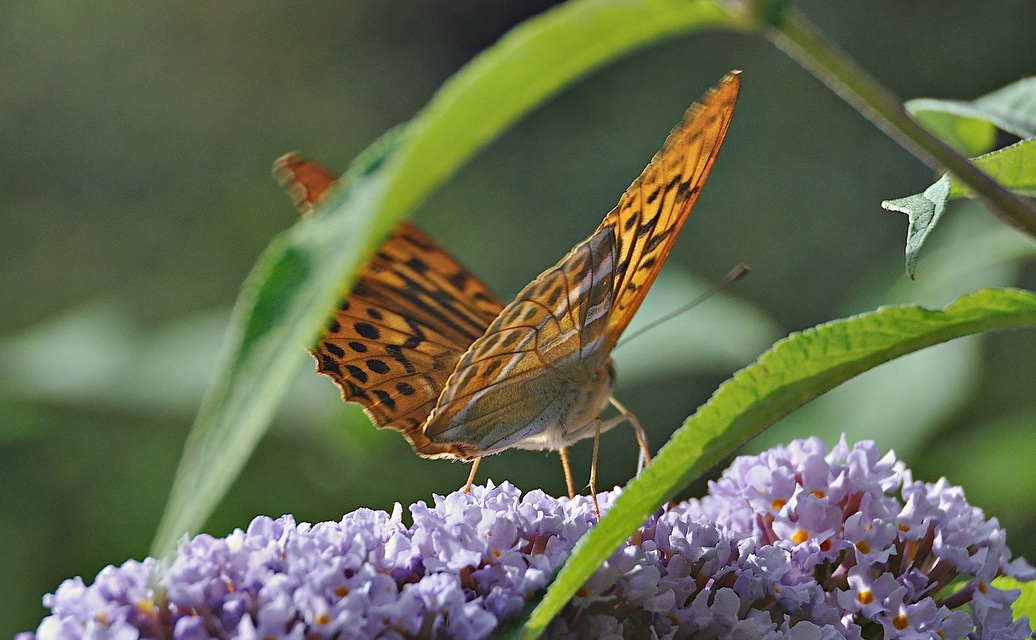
x: 136, y: 140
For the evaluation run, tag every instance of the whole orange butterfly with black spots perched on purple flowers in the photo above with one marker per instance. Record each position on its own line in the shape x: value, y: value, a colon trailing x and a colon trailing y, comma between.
x: 429, y: 352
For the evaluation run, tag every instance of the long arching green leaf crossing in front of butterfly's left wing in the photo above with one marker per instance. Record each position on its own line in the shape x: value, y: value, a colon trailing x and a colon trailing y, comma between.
x: 299, y: 279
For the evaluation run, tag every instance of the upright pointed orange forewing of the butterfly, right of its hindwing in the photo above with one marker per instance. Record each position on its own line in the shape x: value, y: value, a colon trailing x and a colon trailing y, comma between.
x: 653, y: 211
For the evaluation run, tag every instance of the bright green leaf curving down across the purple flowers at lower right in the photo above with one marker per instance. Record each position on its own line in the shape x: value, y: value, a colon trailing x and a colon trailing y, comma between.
x: 795, y: 371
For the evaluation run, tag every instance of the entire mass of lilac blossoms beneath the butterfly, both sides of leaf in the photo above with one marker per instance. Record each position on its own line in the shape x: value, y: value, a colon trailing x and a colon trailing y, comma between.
x: 795, y: 543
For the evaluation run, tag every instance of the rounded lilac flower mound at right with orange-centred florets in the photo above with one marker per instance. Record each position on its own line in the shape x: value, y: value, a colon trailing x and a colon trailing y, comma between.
x: 897, y: 558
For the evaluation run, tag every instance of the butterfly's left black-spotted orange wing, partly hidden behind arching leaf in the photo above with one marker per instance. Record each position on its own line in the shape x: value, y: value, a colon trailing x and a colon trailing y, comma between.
x: 398, y: 336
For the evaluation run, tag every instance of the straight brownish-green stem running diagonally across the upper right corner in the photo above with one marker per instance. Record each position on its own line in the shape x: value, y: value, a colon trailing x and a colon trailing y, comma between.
x: 794, y: 34
